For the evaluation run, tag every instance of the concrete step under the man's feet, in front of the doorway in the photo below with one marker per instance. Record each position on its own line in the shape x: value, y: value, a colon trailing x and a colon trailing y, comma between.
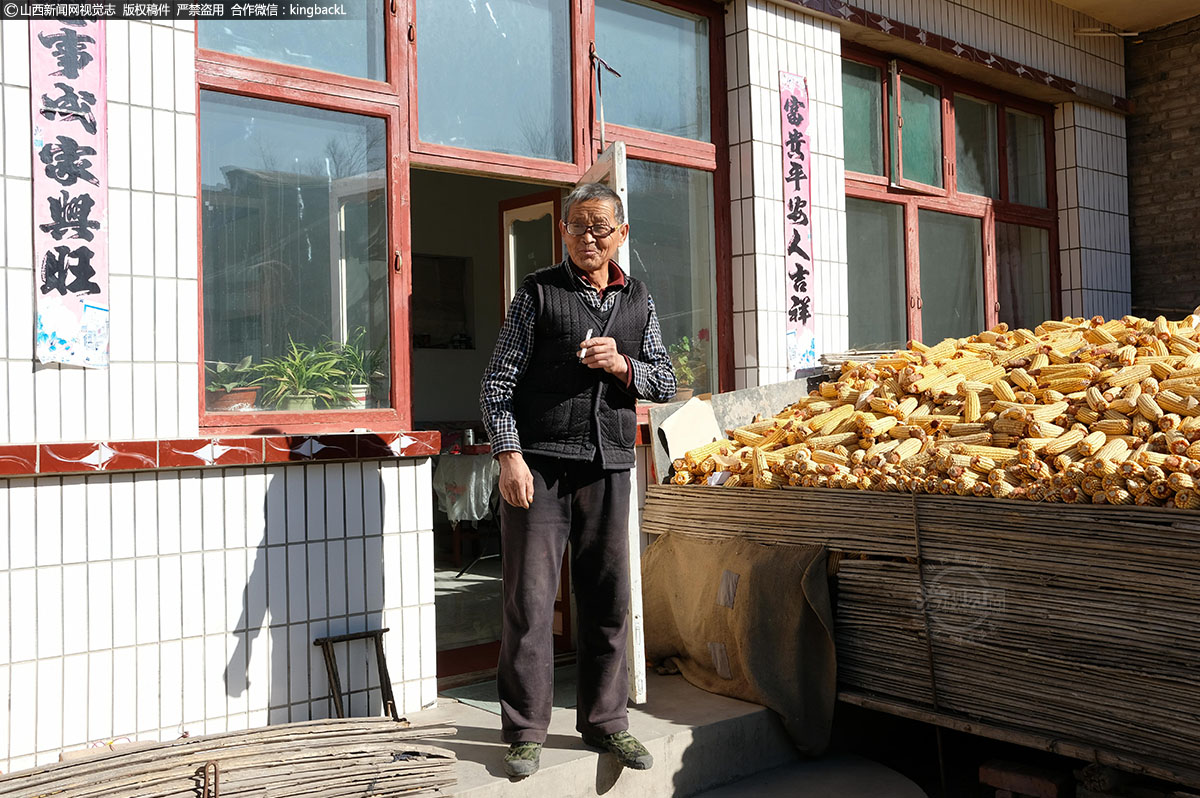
x: 698, y: 740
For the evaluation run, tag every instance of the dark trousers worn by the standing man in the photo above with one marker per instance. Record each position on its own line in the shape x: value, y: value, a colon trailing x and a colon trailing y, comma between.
x: 589, y: 507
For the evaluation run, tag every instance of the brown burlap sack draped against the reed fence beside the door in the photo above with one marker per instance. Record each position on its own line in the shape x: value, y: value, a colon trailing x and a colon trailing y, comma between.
x: 748, y: 621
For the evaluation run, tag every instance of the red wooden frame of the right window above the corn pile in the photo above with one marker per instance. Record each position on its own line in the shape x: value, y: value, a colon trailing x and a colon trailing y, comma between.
x: 916, y: 197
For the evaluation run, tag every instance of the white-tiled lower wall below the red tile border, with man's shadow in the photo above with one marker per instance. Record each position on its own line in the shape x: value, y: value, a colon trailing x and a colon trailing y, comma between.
x: 107, y: 632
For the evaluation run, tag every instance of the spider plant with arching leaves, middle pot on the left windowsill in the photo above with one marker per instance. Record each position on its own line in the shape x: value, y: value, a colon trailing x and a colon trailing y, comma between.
x: 304, y: 377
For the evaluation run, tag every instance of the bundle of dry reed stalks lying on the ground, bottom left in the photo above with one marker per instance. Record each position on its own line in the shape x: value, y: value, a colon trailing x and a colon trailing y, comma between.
x: 322, y: 759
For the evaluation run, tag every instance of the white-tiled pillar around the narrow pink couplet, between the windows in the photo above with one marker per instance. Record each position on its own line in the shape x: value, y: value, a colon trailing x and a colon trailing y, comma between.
x: 764, y: 39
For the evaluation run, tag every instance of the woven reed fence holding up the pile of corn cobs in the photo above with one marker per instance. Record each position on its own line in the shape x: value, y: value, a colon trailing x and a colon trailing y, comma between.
x: 1072, y: 628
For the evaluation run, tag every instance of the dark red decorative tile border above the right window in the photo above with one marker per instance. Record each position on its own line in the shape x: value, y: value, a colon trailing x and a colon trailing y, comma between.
x: 883, y: 25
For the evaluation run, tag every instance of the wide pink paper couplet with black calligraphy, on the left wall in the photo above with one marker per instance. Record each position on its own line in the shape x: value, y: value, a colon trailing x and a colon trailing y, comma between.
x: 70, y: 191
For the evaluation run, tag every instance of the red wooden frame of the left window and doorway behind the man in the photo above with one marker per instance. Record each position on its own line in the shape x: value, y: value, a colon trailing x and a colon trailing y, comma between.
x: 395, y: 100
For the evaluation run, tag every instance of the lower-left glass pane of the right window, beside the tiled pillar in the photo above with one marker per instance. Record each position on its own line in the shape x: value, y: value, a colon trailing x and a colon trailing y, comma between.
x: 875, y: 255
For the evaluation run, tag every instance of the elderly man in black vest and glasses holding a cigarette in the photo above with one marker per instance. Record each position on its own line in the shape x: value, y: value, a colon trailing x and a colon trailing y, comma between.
x: 580, y: 346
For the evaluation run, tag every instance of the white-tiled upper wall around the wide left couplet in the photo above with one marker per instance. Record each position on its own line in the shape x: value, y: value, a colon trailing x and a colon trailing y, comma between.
x: 151, y: 391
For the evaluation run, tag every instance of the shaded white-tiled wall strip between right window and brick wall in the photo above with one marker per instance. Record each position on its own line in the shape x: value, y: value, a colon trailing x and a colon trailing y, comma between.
x: 1094, y: 212
